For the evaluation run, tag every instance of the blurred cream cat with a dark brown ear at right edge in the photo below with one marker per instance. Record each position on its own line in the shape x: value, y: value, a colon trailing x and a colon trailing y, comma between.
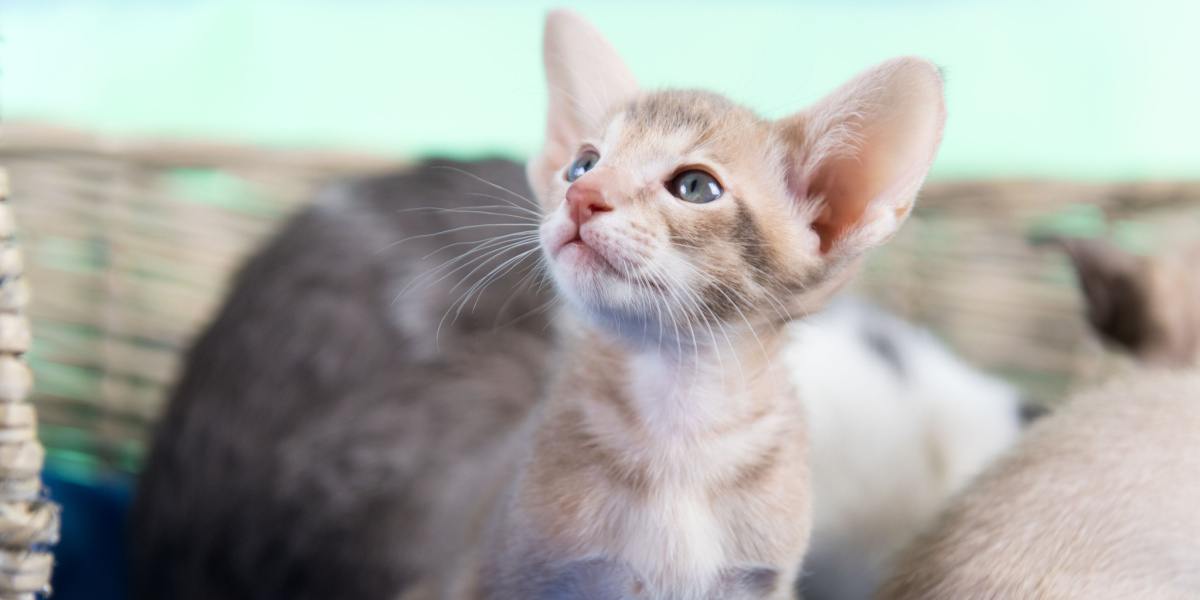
x: 1101, y: 500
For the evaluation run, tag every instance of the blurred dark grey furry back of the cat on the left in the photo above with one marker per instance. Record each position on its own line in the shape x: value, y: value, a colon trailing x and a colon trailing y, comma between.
x: 329, y: 395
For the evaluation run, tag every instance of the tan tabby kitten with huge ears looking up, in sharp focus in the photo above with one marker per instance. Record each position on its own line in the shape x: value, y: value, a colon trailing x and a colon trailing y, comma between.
x: 669, y: 460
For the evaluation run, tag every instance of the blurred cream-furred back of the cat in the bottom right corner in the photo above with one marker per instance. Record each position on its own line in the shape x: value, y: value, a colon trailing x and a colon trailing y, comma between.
x: 1099, y: 501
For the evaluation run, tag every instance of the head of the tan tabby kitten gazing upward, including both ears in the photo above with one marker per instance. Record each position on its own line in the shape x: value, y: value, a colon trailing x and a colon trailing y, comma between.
x: 670, y: 211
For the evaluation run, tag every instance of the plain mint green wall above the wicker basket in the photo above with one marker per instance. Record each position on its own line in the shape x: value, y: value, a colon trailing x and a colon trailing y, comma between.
x: 1084, y: 89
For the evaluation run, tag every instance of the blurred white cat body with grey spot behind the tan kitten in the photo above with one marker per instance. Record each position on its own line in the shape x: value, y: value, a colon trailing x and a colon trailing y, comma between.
x: 891, y: 448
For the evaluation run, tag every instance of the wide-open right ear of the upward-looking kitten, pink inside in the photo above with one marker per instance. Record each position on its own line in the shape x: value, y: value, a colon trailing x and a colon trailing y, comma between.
x: 865, y: 151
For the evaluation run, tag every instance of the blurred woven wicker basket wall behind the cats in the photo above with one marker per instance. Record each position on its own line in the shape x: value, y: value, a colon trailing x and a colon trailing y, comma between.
x: 131, y: 244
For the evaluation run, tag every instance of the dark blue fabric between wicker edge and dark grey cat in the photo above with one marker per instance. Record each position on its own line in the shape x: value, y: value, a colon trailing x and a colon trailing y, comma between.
x: 91, y: 560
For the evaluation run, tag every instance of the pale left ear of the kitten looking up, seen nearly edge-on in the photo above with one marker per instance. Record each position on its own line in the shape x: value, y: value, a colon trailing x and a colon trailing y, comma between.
x: 586, y: 80
